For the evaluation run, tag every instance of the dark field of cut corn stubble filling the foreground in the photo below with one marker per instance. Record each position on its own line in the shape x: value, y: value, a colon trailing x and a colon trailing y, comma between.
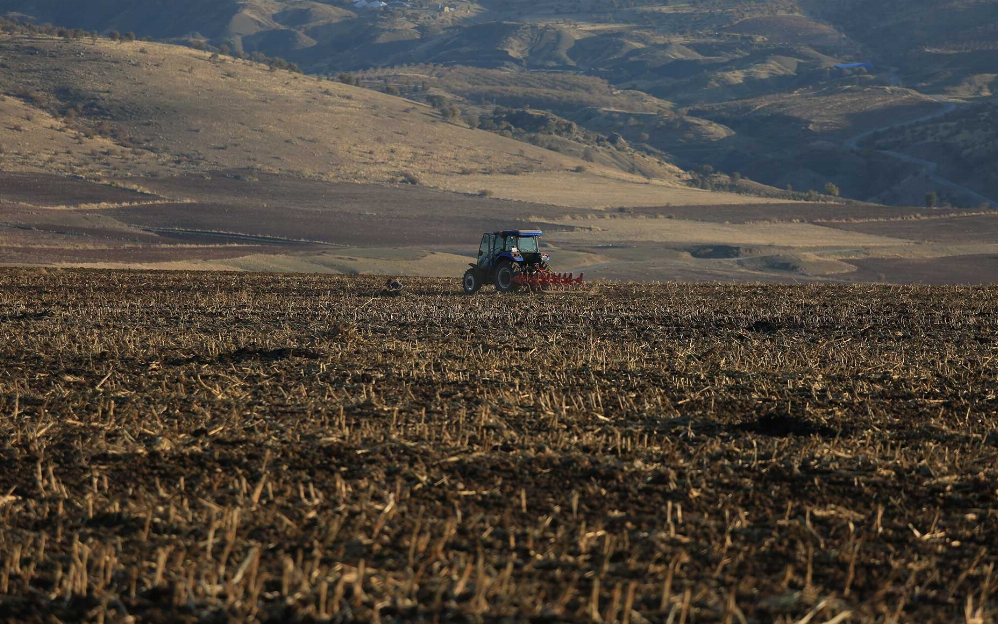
x: 189, y: 446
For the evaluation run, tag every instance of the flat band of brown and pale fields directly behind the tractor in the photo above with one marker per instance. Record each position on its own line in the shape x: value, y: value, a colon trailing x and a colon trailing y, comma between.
x: 225, y: 222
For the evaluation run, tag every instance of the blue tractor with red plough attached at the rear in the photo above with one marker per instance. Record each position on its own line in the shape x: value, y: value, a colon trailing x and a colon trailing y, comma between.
x: 512, y: 259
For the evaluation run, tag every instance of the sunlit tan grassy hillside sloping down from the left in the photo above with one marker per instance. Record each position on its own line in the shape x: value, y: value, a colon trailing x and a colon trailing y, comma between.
x: 147, y: 109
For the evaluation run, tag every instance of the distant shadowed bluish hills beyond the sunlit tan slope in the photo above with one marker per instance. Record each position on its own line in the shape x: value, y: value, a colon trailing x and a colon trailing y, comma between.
x: 683, y: 83
